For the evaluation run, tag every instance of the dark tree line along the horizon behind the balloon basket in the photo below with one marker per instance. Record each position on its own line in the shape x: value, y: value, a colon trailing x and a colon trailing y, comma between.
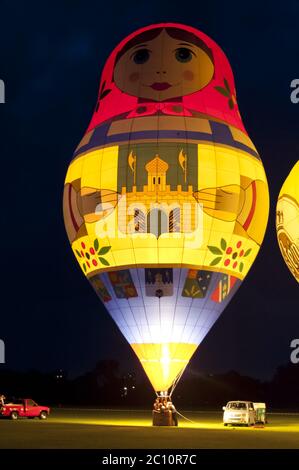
x: 105, y: 385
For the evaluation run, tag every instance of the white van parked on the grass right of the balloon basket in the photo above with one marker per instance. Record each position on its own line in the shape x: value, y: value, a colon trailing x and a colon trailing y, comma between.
x: 244, y: 412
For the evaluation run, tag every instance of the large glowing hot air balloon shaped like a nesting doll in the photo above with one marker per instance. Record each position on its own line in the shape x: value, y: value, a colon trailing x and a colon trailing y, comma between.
x: 166, y: 198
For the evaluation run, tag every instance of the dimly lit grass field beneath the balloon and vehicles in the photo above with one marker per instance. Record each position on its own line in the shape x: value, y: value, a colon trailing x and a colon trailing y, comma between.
x: 131, y: 429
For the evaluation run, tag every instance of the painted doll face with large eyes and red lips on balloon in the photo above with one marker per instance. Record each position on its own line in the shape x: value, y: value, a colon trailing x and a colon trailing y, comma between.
x: 163, y: 68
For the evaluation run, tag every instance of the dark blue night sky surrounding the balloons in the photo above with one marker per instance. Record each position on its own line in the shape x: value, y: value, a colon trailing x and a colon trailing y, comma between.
x: 51, y: 57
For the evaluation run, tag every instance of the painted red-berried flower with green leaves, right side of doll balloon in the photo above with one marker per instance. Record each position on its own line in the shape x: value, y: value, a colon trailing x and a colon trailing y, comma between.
x: 230, y: 256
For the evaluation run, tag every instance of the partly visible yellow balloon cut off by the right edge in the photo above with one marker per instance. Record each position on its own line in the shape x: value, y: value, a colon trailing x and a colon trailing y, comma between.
x: 287, y: 221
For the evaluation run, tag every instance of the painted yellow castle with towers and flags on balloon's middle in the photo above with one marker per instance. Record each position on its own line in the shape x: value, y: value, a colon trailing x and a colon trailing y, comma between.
x: 158, y: 206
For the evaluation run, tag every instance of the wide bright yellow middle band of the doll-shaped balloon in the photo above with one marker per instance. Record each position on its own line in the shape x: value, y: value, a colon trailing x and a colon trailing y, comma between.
x: 123, y: 217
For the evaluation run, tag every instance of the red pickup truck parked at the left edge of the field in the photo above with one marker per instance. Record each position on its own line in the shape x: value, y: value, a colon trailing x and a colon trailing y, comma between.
x: 24, y: 408
